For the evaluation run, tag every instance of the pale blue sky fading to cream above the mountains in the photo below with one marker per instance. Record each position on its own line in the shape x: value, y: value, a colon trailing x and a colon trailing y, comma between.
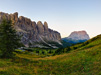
x: 65, y: 16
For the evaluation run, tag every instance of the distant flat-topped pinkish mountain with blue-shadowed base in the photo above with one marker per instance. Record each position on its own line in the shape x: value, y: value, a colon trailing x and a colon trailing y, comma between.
x: 76, y: 37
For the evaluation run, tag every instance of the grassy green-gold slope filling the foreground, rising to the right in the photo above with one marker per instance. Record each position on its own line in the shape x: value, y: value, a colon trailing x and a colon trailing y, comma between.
x: 83, y: 59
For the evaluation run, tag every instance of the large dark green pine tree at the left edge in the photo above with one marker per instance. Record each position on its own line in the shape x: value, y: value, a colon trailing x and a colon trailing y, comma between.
x: 9, y: 40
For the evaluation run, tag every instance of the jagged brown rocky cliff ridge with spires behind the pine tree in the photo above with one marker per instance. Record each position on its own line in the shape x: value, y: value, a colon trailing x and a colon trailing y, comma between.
x: 31, y: 31
